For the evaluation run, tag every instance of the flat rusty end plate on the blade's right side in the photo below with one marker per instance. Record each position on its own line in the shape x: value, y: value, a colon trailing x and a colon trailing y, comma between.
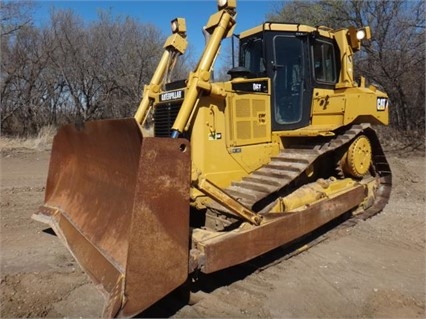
x: 158, y: 254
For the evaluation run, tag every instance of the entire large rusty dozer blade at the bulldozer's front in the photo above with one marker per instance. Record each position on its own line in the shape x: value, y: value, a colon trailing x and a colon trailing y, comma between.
x: 120, y: 202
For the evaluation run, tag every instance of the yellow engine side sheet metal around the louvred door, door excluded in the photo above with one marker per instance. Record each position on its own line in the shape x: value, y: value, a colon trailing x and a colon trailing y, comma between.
x: 222, y: 161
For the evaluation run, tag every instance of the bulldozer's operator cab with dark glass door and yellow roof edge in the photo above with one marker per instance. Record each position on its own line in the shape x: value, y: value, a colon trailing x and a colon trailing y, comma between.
x: 297, y: 59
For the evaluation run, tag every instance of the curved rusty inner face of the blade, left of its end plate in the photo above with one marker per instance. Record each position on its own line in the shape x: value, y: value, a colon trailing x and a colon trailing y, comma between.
x: 92, y: 180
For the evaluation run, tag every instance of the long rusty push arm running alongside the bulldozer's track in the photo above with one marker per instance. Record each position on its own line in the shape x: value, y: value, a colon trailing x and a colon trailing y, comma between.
x: 253, y: 241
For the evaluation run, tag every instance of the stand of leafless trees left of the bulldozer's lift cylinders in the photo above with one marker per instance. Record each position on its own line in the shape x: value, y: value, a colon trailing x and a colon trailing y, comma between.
x: 72, y: 71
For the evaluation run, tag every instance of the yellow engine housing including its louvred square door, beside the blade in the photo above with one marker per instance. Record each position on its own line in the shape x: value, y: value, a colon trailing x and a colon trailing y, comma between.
x: 230, y: 151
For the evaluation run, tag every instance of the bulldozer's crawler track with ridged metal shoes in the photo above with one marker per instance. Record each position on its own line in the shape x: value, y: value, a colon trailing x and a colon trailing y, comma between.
x: 285, y: 172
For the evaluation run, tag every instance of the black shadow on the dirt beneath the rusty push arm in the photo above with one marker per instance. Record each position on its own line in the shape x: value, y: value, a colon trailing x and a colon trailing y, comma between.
x: 207, y: 283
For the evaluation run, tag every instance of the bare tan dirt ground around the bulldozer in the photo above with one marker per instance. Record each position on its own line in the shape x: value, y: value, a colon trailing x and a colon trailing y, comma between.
x: 374, y: 269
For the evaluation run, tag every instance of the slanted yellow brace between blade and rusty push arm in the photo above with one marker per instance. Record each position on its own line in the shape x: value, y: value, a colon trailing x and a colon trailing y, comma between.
x: 229, y: 202
